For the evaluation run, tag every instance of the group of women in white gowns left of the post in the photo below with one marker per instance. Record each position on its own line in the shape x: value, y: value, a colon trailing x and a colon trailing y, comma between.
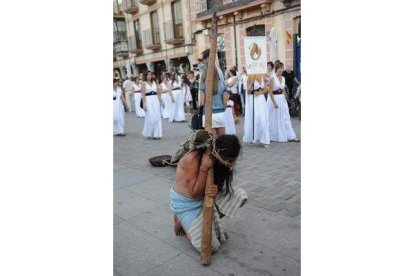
x: 154, y: 102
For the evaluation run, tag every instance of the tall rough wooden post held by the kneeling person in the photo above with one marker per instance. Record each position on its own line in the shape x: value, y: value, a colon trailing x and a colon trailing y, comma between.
x: 205, y: 255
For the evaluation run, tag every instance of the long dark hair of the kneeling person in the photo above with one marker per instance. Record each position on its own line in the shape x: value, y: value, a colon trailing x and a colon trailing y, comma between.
x: 229, y: 147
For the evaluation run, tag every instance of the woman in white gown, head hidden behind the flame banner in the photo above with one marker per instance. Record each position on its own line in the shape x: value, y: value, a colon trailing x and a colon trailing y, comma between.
x: 256, y: 120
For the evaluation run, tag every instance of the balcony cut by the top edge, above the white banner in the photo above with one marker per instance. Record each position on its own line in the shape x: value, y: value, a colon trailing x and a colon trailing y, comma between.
x: 226, y: 8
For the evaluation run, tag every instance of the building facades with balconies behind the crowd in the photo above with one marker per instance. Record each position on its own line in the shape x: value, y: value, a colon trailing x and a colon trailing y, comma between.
x: 170, y: 34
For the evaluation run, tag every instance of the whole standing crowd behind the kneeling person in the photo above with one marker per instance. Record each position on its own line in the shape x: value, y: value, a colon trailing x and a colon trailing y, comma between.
x: 264, y: 102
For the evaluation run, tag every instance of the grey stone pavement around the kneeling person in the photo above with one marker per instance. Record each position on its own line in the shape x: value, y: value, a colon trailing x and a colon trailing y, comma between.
x: 264, y: 235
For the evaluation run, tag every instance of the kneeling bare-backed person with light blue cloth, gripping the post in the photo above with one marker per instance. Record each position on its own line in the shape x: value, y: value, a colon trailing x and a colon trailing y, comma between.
x: 206, y: 151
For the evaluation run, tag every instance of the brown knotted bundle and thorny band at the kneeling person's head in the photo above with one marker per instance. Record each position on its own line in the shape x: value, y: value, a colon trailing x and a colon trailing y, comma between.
x: 203, y: 139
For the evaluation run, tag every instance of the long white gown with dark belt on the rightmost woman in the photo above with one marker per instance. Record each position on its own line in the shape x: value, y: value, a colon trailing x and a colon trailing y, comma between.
x: 280, y: 126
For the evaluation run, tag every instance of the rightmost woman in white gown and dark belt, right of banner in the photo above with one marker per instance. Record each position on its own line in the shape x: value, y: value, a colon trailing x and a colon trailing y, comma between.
x: 280, y: 126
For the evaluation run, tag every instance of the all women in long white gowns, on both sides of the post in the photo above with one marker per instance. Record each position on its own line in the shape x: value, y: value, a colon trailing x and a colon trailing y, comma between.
x: 265, y: 120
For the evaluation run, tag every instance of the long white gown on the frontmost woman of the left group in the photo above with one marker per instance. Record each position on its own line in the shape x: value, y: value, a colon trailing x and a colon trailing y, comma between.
x: 153, y: 122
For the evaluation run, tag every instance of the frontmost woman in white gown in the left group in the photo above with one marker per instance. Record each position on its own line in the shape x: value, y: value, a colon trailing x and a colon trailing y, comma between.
x: 152, y: 102
